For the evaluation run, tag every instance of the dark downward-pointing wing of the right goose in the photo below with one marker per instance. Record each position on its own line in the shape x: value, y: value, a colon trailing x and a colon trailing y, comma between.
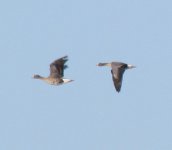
x: 117, y: 75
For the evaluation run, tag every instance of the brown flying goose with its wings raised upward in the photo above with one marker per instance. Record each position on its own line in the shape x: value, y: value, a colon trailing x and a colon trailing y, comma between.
x: 56, y: 72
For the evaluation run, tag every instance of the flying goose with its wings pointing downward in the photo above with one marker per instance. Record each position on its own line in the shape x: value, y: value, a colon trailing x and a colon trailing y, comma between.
x: 117, y: 72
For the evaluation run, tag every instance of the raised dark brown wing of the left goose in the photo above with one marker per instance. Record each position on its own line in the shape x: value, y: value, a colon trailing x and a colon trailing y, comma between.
x: 57, y: 67
